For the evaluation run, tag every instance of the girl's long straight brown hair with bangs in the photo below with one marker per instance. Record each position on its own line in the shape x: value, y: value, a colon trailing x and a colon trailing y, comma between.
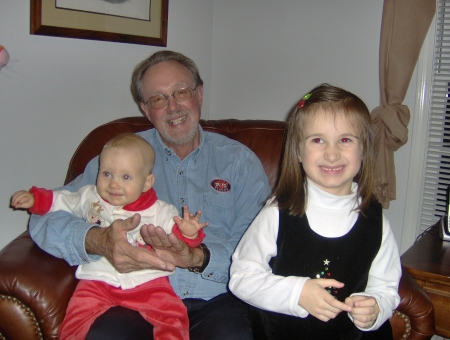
x: 291, y: 190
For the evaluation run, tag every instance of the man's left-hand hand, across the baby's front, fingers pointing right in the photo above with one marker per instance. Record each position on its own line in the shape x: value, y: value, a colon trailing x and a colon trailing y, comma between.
x: 112, y: 243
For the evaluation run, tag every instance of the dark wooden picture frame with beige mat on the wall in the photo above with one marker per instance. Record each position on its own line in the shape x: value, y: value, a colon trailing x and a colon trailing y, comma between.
x: 47, y: 19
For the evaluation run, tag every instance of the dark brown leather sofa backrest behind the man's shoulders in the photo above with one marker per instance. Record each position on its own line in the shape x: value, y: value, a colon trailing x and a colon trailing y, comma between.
x: 264, y: 137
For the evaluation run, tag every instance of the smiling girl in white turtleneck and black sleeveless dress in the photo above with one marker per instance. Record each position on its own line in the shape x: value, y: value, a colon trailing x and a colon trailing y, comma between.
x: 320, y: 260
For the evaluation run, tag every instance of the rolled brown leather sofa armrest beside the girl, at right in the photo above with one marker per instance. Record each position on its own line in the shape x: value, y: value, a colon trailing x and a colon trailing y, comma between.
x: 415, y: 314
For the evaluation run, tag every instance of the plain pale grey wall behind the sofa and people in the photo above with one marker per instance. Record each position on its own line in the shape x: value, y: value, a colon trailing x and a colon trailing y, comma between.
x: 257, y: 57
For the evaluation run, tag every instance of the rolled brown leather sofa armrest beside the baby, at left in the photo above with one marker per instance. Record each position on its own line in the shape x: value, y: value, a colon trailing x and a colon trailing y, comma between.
x: 35, y: 289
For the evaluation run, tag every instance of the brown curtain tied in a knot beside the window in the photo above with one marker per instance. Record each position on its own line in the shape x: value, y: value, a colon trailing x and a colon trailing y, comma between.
x: 404, y: 26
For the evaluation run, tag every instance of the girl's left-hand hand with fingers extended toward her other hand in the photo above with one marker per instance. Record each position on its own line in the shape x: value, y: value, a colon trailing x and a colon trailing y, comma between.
x: 318, y: 302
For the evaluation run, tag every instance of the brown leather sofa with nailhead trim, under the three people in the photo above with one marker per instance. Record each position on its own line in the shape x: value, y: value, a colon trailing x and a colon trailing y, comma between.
x: 35, y: 287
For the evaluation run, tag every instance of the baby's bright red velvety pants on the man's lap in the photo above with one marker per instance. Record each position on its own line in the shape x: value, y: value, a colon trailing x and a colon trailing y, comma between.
x: 155, y: 301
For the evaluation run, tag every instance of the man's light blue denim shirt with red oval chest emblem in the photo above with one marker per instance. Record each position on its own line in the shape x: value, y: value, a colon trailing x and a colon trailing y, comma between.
x: 222, y: 178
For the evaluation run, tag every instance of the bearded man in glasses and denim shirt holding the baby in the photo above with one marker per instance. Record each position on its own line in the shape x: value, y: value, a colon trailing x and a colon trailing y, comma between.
x: 202, y: 170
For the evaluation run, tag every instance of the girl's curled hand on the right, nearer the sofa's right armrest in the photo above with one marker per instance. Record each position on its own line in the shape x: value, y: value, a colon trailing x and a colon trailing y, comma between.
x: 365, y: 310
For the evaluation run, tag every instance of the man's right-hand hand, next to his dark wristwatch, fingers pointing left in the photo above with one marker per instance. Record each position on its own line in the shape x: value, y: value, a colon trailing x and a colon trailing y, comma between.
x: 169, y: 248
